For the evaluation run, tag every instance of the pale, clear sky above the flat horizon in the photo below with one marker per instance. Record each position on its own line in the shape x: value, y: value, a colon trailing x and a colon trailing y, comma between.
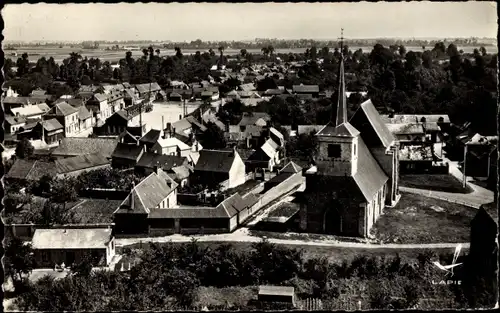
x: 247, y: 21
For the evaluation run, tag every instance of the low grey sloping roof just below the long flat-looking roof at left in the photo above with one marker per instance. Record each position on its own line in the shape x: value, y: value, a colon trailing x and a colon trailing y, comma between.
x: 77, y: 165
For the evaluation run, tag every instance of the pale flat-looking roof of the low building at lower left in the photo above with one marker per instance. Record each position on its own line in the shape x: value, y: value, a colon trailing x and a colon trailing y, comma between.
x: 71, y: 238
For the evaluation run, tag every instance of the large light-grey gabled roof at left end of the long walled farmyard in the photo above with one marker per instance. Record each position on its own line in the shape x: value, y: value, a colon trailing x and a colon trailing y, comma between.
x: 149, y: 193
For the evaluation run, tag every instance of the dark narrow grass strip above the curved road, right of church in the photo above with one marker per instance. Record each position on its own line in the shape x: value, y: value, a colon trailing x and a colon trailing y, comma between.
x: 437, y: 182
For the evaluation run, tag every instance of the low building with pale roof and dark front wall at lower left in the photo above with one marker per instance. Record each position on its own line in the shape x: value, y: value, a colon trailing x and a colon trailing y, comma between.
x: 71, y: 245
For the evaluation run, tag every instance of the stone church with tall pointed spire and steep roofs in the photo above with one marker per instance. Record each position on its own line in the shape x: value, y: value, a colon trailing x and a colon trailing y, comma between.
x: 355, y: 175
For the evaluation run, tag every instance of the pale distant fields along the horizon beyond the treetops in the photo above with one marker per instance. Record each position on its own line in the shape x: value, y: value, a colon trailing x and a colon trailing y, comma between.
x: 59, y: 54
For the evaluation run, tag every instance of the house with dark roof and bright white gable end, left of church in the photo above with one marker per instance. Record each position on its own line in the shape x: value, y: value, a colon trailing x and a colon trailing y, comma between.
x: 215, y: 166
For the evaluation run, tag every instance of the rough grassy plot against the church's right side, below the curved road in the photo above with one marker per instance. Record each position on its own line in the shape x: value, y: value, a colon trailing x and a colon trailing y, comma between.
x: 418, y: 219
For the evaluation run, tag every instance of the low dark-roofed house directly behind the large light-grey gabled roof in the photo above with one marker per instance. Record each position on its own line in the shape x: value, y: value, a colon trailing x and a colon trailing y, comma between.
x: 149, y: 161
